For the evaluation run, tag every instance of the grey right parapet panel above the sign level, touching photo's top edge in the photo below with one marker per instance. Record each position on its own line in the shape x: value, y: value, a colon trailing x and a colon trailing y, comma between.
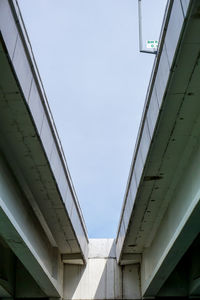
x: 173, y: 30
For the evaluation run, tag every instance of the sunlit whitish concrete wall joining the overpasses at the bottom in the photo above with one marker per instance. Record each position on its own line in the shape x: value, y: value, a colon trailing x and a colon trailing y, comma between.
x: 102, y: 277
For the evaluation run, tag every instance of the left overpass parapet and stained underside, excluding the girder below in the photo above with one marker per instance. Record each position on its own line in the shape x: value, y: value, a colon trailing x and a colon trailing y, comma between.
x: 30, y: 141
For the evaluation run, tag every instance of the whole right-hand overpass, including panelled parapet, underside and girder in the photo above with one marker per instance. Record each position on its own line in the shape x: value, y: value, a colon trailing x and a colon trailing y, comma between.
x: 160, y: 214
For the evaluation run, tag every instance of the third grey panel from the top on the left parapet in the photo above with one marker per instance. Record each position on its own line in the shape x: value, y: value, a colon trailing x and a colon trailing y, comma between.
x: 36, y: 107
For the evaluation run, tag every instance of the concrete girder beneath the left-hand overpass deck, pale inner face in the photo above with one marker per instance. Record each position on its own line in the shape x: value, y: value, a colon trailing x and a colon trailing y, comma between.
x: 20, y: 230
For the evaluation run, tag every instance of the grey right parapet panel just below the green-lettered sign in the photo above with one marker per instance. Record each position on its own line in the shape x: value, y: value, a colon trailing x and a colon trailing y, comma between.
x: 162, y: 76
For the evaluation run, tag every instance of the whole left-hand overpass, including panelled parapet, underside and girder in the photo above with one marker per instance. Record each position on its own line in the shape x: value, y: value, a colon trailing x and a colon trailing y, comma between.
x: 40, y: 217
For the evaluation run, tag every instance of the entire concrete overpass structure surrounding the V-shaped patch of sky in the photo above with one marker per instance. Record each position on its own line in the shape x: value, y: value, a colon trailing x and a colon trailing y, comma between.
x: 44, y: 248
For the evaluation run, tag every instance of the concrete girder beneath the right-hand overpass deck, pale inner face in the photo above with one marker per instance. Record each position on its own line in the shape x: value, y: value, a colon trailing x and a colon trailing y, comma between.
x: 179, y: 227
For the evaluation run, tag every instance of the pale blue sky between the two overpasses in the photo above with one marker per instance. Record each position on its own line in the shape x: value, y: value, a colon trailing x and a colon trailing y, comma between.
x: 95, y: 78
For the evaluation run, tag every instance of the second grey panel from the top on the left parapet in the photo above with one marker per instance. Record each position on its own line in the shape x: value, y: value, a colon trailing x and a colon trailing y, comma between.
x: 22, y: 68
